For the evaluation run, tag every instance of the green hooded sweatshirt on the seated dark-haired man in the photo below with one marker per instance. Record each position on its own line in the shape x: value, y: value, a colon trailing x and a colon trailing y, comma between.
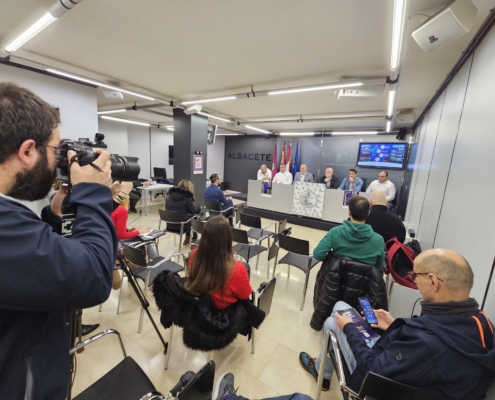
x: 356, y: 241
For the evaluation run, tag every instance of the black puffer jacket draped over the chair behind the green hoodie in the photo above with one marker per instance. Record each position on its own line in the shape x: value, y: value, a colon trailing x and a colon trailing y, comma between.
x: 343, y: 279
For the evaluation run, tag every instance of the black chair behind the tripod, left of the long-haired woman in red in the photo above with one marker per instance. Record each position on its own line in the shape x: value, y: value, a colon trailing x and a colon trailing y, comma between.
x: 147, y: 272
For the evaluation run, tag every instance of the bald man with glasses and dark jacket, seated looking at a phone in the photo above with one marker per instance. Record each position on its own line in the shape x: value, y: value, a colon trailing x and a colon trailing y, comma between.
x: 448, y: 351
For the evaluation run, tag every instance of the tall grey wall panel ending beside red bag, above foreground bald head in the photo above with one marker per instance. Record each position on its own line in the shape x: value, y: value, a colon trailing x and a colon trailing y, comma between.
x: 442, y: 157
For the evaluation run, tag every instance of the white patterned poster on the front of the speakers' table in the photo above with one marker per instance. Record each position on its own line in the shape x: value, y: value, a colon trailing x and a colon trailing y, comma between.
x: 308, y: 199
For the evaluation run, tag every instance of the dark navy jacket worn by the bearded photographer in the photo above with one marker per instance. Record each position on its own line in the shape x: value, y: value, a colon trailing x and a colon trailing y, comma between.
x: 43, y: 276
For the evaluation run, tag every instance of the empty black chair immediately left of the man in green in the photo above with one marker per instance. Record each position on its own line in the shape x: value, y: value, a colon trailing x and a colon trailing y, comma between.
x: 298, y: 256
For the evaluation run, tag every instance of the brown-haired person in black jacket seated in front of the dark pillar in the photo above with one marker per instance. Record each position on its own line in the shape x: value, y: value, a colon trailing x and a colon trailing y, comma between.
x: 181, y: 199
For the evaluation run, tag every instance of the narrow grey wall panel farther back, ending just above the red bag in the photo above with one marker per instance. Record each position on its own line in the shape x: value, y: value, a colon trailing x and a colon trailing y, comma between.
x: 424, y: 164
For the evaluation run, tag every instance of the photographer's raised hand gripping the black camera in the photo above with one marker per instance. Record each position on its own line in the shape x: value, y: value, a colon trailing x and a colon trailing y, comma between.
x: 89, y: 174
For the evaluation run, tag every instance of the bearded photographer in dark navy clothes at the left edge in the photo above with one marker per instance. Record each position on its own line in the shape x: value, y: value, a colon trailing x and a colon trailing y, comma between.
x: 43, y: 275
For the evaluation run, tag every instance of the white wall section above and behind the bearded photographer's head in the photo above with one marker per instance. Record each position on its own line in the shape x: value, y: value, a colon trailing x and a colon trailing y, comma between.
x: 77, y: 103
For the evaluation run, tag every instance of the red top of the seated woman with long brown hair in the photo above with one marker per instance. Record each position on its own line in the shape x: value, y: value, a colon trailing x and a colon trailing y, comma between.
x: 238, y: 286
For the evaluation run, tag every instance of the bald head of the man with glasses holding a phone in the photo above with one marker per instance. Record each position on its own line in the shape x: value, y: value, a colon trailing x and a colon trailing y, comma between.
x: 448, y: 266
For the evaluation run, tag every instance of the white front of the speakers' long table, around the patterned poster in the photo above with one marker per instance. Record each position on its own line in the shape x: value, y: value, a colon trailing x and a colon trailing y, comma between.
x: 281, y: 200
